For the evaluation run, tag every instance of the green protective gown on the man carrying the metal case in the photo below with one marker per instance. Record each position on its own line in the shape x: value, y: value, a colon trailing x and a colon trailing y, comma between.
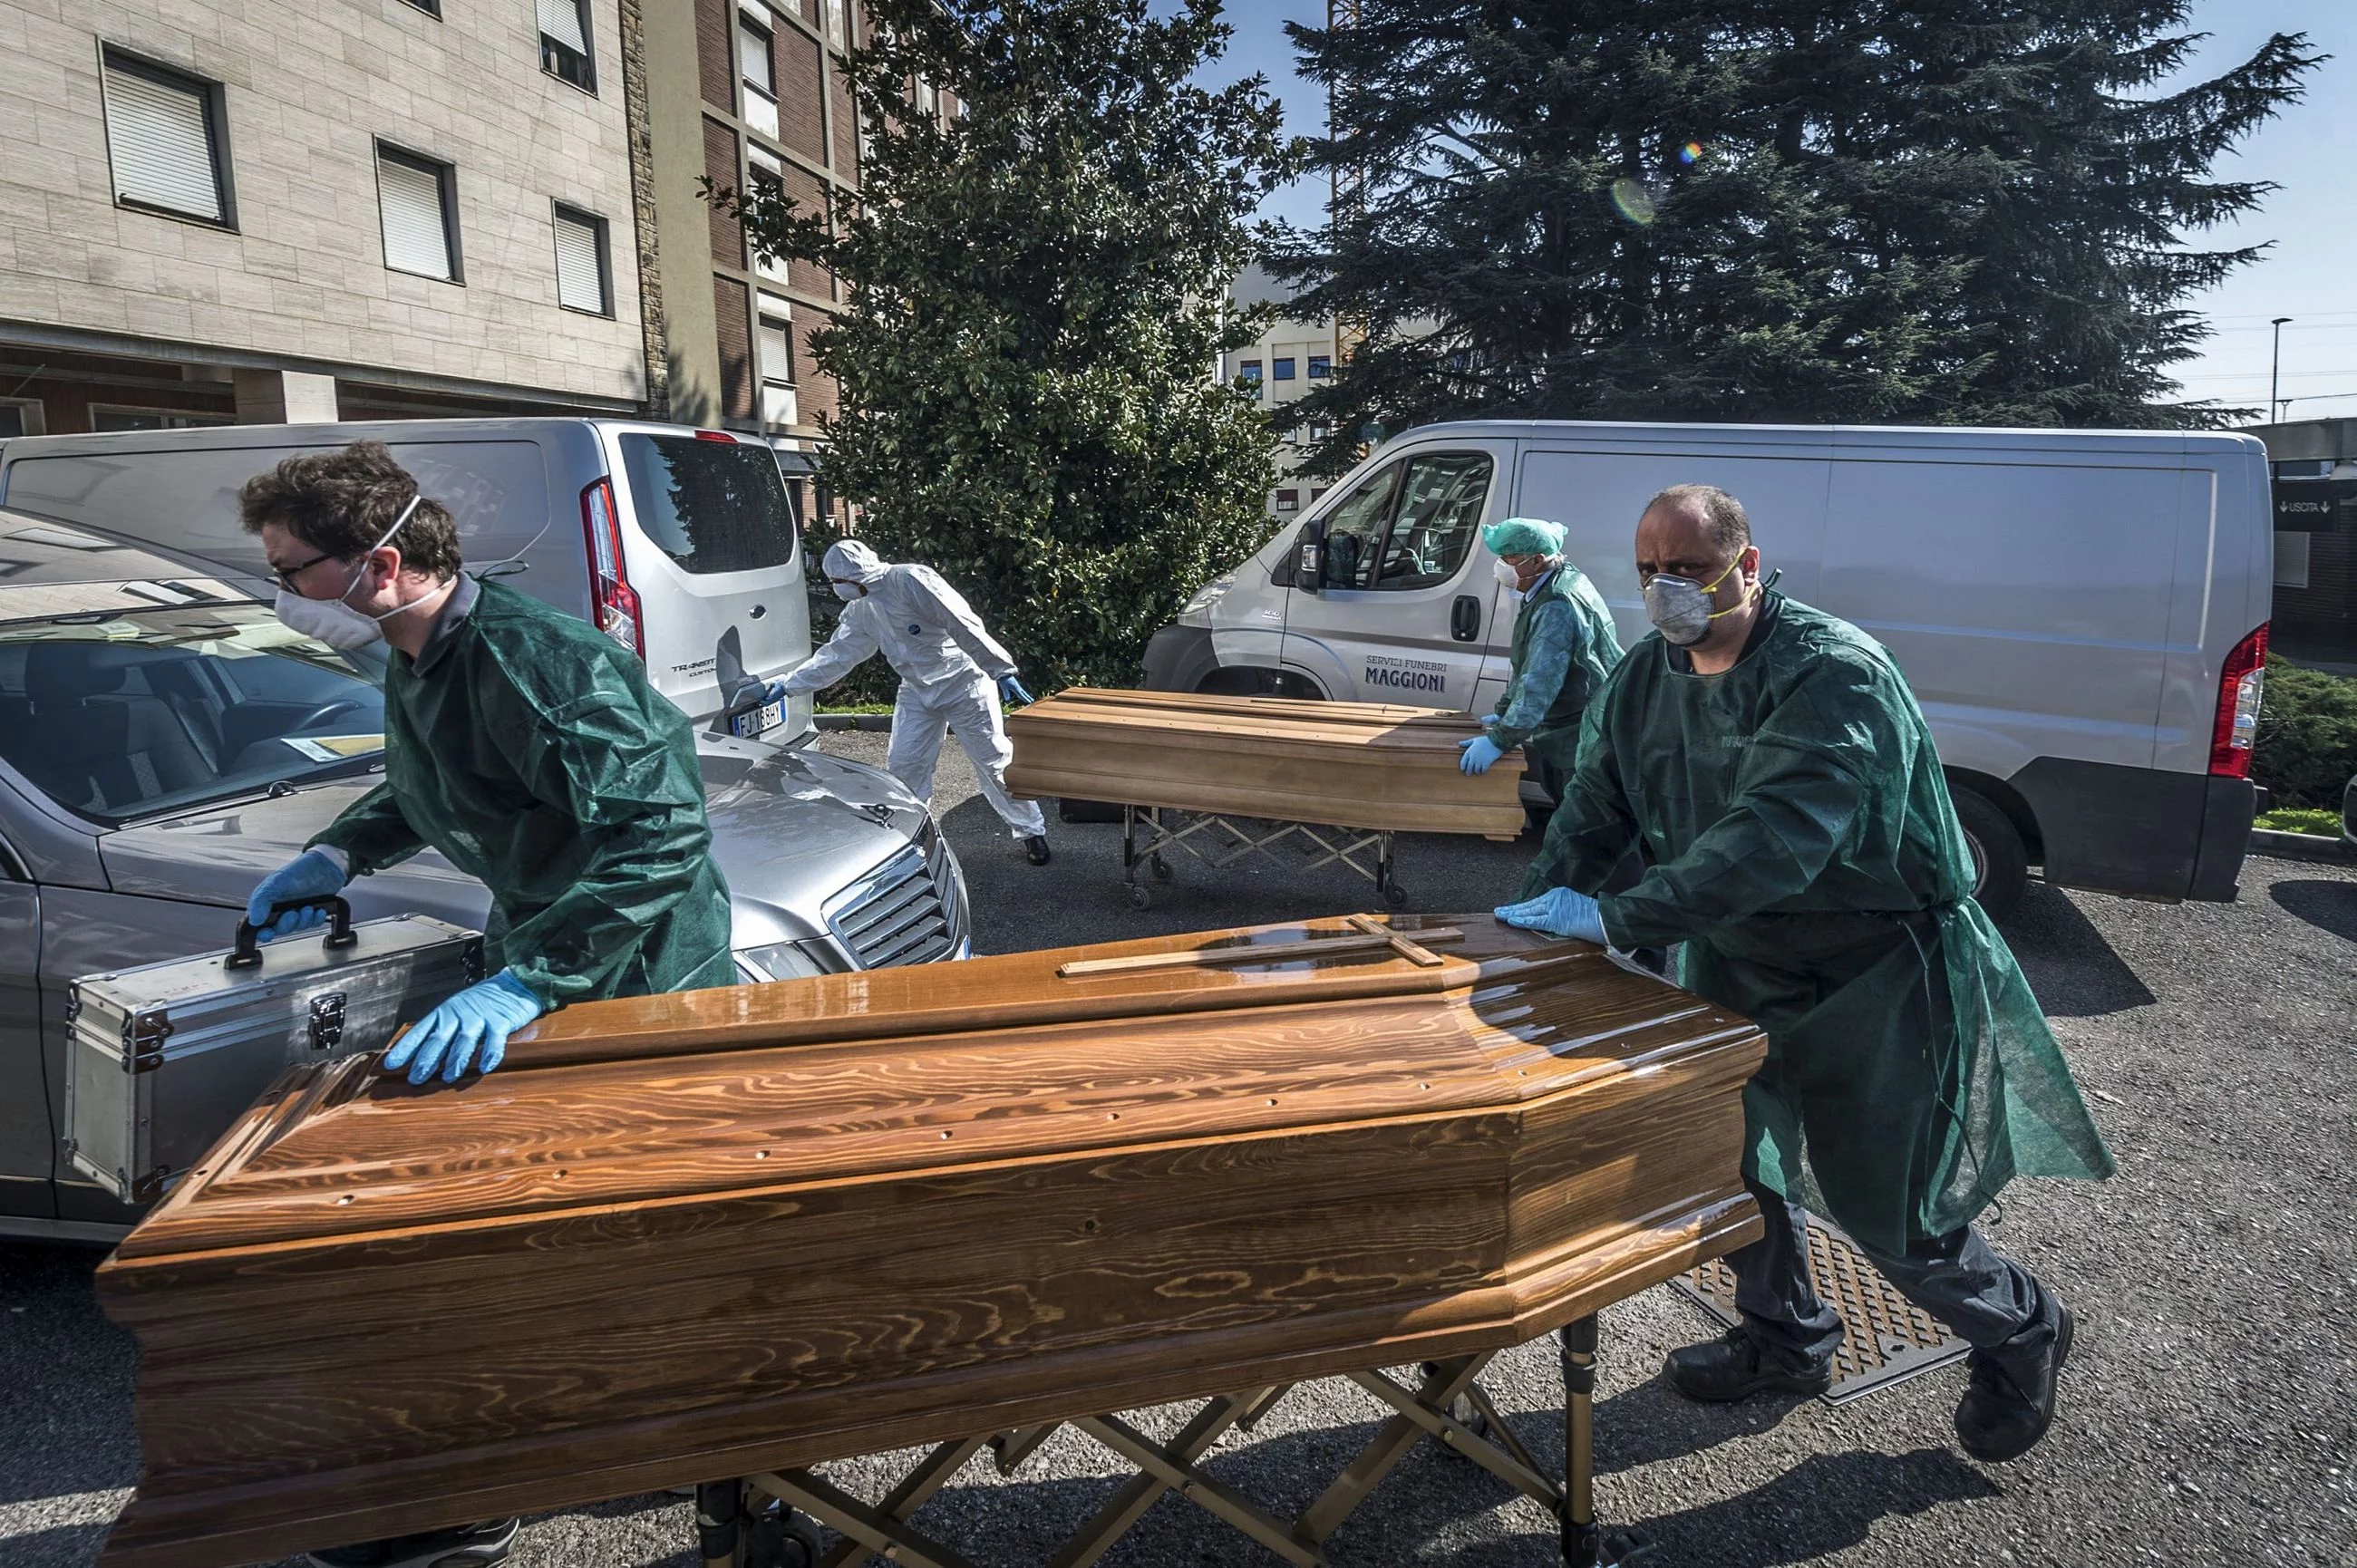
x: 534, y: 756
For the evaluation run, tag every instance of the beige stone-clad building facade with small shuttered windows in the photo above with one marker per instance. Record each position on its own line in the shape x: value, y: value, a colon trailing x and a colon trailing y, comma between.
x: 286, y: 211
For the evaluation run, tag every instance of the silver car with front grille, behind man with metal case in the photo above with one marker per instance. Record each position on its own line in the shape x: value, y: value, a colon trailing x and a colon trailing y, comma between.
x: 166, y: 744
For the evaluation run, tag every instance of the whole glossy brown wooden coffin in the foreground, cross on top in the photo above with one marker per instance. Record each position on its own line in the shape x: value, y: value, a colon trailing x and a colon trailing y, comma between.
x: 741, y: 1230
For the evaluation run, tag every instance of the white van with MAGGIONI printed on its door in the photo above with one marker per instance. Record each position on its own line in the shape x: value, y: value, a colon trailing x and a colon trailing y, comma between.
x: 2082, y: 614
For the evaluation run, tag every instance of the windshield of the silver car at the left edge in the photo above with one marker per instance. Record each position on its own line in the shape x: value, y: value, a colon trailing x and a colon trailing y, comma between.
x: 133, y: 713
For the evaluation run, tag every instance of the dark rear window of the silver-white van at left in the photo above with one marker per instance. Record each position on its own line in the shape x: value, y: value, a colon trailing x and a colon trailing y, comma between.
x: 711, y: 506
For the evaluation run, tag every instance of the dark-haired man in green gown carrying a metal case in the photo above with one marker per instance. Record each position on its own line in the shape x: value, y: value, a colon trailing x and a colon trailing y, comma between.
x: 522, y: 744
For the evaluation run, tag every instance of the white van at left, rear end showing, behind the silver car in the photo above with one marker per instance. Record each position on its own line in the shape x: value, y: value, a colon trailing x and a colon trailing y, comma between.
x: 680, y: 543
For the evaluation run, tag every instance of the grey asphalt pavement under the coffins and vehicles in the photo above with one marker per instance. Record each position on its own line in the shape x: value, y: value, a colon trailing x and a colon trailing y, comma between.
x: 2207, y: 1411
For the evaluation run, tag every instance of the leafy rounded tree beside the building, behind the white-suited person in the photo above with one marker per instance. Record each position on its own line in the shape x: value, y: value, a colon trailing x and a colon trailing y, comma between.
x: 1029, y: 362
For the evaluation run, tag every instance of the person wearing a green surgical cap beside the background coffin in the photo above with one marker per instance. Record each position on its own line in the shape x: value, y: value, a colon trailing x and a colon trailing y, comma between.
x: 1564, y: 650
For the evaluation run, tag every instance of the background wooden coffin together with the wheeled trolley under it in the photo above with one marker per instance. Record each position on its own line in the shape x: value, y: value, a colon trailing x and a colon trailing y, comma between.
x: 1229, y: 779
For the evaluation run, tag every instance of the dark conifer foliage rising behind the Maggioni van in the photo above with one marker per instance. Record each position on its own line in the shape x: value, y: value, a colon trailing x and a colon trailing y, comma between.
x: 1866, y: 211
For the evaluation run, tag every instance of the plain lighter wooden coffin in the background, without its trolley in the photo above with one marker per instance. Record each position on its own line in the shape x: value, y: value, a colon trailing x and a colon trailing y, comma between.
x: 1352, y: 765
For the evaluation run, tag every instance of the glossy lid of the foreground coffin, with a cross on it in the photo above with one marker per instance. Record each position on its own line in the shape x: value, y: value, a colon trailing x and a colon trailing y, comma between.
x: 883, y: 1074
